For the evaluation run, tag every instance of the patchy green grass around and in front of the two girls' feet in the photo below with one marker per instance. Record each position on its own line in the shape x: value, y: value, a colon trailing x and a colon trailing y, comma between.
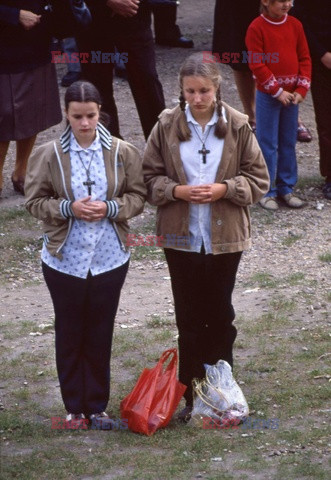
x: 276, y: 364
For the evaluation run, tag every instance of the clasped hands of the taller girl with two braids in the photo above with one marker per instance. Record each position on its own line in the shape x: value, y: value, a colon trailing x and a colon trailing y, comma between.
x: 200, y: 193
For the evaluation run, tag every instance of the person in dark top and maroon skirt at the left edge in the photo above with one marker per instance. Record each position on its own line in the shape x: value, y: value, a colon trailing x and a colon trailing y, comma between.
x: 29, y: 97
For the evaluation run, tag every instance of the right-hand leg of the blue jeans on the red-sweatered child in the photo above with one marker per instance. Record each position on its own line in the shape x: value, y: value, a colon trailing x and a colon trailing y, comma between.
x: 287, y: 174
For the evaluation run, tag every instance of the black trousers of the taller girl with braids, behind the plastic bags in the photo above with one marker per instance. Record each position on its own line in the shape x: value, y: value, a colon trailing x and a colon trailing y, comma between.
x: 202, y: 287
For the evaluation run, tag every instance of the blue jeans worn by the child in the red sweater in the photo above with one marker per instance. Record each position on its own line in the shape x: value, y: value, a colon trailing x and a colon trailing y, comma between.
x: 276, y: 132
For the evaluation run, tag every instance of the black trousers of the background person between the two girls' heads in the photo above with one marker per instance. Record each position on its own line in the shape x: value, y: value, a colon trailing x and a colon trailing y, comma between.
x: 132, y: 36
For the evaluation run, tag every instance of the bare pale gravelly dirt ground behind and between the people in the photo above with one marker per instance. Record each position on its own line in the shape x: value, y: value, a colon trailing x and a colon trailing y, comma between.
x: 147, y: 289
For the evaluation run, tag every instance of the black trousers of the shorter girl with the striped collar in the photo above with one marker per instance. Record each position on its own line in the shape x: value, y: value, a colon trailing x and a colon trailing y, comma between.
x: 85, y: 311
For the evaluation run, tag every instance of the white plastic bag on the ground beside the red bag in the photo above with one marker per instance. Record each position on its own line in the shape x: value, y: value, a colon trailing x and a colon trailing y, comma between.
x: 219, y: 401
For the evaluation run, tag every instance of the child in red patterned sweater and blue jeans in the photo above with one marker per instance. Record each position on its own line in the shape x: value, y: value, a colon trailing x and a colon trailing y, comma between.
x: 279, y: 58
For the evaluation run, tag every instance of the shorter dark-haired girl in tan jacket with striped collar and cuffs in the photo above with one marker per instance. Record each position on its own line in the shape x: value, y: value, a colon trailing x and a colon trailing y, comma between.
x: 84, y: 188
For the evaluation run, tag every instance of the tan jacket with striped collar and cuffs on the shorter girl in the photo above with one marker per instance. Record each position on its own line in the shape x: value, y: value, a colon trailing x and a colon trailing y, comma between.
x: 48, y: 183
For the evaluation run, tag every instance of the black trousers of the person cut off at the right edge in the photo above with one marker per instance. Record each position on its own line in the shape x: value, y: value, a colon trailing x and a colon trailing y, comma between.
x: 321, y: 93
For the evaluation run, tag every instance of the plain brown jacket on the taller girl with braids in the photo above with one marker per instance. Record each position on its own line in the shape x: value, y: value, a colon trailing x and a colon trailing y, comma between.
x: 242, y: 168
